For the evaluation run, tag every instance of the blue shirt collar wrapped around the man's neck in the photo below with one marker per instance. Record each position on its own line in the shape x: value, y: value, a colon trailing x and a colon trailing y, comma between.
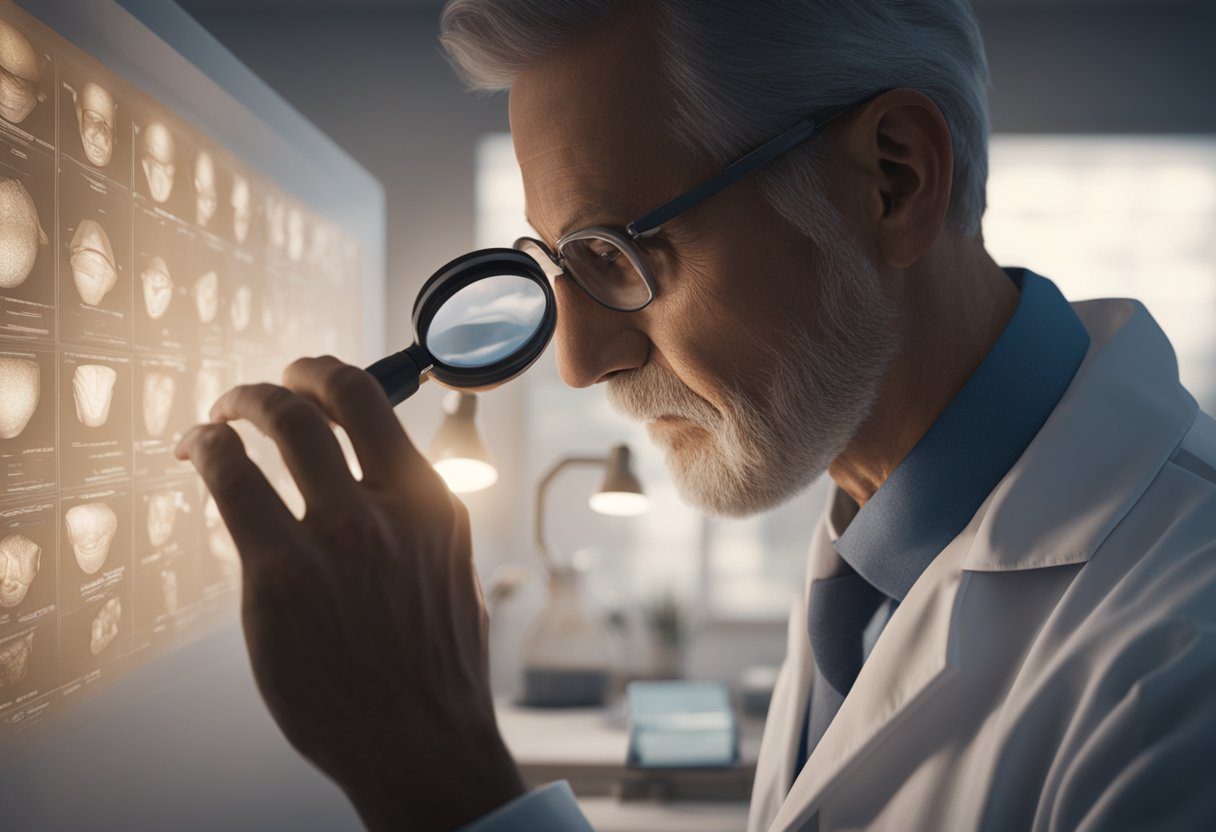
x: 938, y: 488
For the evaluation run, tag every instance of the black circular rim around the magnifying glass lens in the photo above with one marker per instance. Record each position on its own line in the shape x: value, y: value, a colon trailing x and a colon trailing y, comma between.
x: 464, y: 272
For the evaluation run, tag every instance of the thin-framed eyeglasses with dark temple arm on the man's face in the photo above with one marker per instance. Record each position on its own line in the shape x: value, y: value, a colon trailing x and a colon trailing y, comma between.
x: 609, y: 265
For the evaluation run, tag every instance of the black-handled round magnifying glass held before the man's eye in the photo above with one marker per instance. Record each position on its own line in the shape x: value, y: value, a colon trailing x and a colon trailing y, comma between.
x: 481, y: 321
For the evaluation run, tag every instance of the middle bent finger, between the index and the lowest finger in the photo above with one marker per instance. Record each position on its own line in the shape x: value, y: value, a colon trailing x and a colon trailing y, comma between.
x: 309, y: 448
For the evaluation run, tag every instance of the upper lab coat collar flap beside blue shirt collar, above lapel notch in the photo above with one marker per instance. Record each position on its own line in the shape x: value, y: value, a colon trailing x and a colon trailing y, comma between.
x: 1116, y: 428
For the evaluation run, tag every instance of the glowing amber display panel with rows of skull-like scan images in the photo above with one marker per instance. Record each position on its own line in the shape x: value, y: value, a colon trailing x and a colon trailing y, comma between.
x: 144, y: 271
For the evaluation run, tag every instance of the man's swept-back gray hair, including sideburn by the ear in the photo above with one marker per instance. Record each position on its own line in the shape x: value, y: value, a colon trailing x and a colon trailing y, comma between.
x: 744, y: 72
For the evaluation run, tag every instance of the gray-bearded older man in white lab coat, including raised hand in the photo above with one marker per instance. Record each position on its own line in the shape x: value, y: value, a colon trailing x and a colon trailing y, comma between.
x: 1026, y: 497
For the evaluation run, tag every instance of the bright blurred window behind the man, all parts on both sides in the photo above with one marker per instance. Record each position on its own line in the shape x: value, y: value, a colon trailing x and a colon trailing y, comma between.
x: 1102, y: 217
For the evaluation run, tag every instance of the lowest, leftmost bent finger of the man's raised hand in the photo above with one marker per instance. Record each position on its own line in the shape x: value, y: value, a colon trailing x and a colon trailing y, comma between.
x: 257, y: 519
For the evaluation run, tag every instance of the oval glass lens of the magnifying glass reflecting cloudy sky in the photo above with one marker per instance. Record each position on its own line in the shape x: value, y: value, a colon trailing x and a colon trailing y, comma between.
x: 487, y: 322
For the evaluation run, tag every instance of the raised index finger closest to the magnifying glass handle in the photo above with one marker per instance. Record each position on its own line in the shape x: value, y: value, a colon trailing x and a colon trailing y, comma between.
x: 354, y: 400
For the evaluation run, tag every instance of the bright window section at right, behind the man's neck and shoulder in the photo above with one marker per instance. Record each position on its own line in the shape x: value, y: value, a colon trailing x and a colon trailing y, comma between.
x: 1117, y: 217
